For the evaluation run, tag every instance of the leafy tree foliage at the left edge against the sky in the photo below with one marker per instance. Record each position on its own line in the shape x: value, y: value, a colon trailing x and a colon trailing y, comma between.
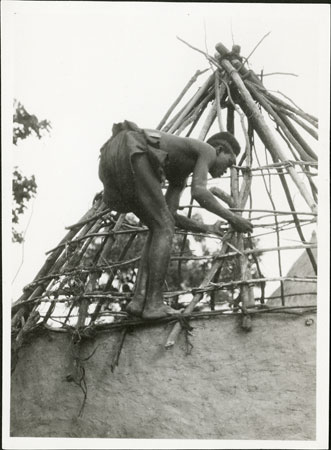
x: 24, y: 188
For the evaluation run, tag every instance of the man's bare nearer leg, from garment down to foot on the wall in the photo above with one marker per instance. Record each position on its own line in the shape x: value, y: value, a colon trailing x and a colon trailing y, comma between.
x: 152, y: 209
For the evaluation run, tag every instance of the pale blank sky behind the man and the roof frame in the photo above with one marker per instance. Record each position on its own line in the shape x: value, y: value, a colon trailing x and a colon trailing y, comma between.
x: 85, y: 65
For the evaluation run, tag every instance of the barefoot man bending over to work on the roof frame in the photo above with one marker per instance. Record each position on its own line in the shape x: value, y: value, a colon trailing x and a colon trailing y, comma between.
x: 133, y: 164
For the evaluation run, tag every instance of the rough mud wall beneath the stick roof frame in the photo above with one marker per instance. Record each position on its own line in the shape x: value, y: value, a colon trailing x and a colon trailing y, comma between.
x: 233, y: 385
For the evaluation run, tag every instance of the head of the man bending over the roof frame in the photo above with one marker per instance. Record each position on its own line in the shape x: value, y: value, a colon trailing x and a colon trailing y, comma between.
x: 227, y: 148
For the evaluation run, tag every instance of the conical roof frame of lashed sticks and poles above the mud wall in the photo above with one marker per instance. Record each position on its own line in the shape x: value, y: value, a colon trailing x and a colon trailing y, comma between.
x: 73, y: 272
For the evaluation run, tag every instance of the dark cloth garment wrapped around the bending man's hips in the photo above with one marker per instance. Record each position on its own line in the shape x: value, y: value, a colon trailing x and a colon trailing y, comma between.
x: 115, y: 168
